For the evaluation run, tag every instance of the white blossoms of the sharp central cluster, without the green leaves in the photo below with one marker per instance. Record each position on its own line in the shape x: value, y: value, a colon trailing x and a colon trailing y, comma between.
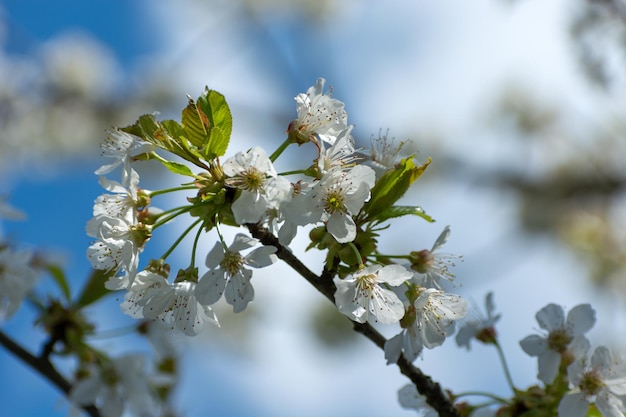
x: 331, y: 192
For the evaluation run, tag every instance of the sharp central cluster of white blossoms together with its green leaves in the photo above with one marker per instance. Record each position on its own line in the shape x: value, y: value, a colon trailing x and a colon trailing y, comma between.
x: 340, y: 198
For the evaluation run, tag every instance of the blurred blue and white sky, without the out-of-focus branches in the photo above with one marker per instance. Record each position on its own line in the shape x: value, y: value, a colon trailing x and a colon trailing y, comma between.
x: 442, y: 65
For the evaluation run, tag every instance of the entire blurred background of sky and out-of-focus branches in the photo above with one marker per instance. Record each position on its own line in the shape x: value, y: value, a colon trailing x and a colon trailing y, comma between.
x: 519, y: 103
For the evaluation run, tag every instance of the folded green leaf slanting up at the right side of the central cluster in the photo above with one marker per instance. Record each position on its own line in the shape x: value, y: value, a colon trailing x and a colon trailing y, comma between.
x: 392, y: 185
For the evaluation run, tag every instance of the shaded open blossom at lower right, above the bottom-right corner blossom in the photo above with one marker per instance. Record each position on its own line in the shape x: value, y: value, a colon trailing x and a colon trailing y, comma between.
x: 564, y: 337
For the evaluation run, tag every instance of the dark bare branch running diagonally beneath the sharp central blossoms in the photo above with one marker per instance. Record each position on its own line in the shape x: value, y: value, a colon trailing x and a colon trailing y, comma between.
x: 324, y: 284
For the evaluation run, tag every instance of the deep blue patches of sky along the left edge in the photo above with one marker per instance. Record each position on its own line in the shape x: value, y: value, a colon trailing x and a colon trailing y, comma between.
x: 58, y: 201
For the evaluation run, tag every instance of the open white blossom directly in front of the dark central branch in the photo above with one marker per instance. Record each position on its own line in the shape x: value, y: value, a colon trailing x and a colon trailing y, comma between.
x: 362, y: 296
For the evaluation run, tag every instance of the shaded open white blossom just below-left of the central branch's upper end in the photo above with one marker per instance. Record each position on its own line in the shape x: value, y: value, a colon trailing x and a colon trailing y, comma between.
x: 227, y: 274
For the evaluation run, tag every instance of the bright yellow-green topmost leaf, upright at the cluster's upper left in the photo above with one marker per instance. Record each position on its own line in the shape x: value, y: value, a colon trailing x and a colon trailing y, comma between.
x: 220, y: 121
